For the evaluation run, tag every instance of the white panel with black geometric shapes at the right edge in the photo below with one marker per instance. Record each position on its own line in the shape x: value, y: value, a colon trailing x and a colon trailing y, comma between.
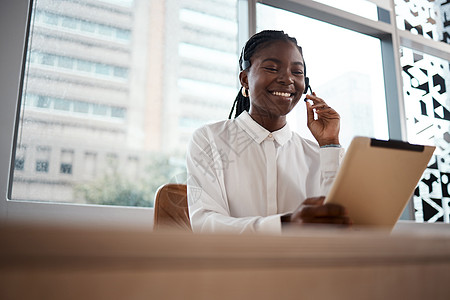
x: 426, y: 83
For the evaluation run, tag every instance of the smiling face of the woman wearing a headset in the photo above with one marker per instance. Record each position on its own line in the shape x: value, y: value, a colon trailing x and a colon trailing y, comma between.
x: 275, y: 80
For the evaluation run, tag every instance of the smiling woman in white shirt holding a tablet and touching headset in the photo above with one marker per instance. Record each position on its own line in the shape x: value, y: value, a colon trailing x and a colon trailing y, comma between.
x: 258, y: 150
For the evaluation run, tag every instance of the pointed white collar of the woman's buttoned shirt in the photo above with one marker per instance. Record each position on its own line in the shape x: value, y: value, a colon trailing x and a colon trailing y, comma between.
x: 259, y: 133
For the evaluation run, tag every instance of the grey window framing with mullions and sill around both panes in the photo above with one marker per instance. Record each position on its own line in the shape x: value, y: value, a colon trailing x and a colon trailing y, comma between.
x: 14, y: 27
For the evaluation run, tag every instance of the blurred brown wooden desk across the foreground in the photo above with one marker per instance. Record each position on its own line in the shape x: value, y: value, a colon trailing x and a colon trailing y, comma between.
x: 78, y: 263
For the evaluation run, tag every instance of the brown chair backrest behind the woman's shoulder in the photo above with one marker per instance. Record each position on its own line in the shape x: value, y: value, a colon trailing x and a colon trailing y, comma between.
x: 171, y: 210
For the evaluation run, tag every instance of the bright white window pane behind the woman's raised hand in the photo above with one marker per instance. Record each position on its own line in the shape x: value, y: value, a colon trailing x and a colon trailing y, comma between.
x: 345, y: 69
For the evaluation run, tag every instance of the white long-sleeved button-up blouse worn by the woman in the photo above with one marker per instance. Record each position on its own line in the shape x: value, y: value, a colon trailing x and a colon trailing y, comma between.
x: 241, y: 177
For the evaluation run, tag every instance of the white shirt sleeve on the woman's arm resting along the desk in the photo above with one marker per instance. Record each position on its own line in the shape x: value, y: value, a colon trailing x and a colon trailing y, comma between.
x: 207, y: 200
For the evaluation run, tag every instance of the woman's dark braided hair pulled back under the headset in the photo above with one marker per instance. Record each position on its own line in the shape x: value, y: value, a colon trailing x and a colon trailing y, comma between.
x: 253, y: 44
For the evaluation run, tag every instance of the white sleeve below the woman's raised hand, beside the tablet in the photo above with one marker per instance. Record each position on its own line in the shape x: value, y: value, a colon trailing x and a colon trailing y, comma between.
x: 330, y: 160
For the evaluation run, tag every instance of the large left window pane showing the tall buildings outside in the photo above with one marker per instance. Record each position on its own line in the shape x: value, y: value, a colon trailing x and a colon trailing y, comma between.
x: 113, y: 95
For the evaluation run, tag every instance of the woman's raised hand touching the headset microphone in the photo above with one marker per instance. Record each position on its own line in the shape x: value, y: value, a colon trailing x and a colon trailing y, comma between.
x: 324, y: 128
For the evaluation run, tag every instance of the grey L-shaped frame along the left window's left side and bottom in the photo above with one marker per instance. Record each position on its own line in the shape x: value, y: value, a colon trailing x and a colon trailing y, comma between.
x: 14, y: 20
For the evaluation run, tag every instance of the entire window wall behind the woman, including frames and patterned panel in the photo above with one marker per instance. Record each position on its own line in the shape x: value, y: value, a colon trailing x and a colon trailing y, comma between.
x: 111, y: 91
